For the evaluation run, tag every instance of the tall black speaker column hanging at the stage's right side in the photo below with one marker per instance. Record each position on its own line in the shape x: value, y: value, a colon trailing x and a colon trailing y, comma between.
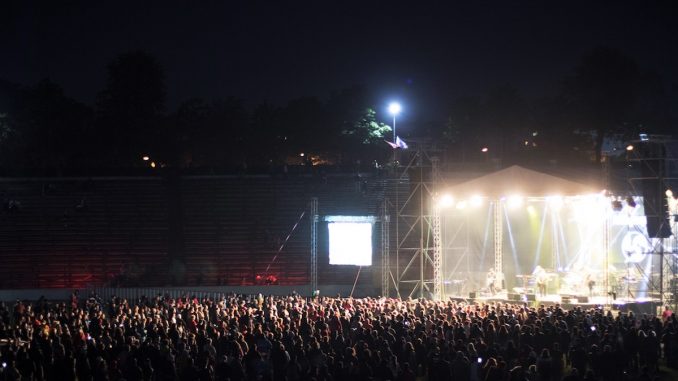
x: 652, y: 171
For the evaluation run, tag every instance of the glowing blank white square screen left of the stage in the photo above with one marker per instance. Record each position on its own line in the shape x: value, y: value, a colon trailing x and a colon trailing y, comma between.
x: 350, y: 243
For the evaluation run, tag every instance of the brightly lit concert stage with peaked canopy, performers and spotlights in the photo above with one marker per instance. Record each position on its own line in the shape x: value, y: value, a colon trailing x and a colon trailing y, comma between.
x: 532, y: 234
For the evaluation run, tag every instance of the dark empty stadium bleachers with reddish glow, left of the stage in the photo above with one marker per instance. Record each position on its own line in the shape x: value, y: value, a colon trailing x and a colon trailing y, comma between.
x: 79, y: 232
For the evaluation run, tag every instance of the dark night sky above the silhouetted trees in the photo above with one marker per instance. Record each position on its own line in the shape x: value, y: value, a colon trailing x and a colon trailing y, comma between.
x: 420, y: 53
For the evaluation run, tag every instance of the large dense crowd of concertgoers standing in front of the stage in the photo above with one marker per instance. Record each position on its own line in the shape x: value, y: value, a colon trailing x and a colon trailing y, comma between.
x: 238, y: 337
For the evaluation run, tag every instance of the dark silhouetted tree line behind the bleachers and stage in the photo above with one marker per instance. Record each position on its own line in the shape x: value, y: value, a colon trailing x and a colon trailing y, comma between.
x: 608, y: 96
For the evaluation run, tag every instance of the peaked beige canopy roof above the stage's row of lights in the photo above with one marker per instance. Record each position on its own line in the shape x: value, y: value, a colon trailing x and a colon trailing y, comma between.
x: 516, y: 180
